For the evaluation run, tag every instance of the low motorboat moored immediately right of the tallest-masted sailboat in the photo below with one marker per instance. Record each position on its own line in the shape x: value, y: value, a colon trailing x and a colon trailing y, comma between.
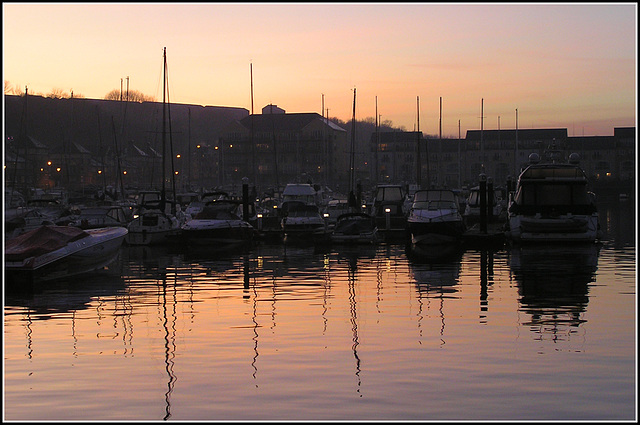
x: 218, y: 224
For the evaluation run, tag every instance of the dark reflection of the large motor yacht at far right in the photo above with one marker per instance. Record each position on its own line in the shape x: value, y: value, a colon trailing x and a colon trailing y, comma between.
x: 553, y: 285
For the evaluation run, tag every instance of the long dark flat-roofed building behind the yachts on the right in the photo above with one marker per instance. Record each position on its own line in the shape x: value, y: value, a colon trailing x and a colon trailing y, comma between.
x: 609, y: 161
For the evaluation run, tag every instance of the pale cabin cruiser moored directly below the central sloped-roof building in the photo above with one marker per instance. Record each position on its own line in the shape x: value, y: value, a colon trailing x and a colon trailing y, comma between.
x: 304, y: 222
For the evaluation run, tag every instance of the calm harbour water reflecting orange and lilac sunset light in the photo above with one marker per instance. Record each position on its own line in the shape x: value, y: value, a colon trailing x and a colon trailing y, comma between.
x: 295, y: 333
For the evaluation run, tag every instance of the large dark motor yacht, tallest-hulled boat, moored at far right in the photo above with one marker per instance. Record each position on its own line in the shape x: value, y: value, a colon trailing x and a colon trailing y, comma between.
x: 552, y: 203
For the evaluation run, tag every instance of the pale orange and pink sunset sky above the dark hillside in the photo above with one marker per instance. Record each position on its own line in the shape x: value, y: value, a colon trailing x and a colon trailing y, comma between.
x: 559, y: 65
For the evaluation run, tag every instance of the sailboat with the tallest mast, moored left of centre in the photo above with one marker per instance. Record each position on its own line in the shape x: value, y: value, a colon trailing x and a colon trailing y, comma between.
x: 156, y: 222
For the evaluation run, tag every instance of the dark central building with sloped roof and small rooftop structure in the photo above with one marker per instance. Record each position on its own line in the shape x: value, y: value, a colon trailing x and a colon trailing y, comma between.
x: 275, y: 148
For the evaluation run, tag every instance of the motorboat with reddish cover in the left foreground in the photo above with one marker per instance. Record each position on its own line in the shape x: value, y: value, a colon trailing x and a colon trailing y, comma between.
x: 53, y: 252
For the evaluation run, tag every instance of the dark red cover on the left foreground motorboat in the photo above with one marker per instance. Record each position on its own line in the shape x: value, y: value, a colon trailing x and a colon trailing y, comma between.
x: 40, y: 241
